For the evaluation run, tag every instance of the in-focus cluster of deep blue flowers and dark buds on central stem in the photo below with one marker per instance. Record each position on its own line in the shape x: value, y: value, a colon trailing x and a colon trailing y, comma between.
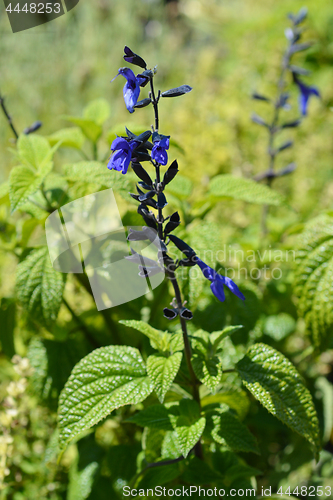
x: 152, y: 147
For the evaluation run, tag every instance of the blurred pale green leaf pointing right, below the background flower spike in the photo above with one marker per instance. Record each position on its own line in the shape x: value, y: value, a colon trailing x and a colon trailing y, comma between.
x: 240, y: 188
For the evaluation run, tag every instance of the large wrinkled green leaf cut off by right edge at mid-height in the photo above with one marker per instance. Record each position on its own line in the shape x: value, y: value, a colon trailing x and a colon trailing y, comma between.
x: 313, y: 279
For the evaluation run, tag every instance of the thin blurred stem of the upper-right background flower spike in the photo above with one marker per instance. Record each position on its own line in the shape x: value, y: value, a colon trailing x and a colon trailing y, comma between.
x: 273, y: 129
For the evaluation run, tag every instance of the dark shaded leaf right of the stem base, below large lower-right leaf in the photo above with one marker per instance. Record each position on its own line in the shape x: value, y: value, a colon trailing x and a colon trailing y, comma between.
x: 229, y: 430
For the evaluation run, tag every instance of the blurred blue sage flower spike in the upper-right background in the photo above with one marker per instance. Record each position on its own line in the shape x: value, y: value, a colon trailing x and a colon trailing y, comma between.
x: 295, y: 45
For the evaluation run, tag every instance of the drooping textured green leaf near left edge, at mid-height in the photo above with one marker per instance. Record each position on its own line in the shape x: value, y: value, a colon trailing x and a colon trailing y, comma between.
x: 39, y: 286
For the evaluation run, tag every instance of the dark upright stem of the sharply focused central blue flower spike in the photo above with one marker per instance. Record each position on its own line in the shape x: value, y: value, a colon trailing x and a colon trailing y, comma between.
x: 170, y: 268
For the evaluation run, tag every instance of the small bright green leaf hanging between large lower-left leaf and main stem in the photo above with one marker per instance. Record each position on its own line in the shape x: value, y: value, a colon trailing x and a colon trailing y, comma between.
x: 162, y: 371
